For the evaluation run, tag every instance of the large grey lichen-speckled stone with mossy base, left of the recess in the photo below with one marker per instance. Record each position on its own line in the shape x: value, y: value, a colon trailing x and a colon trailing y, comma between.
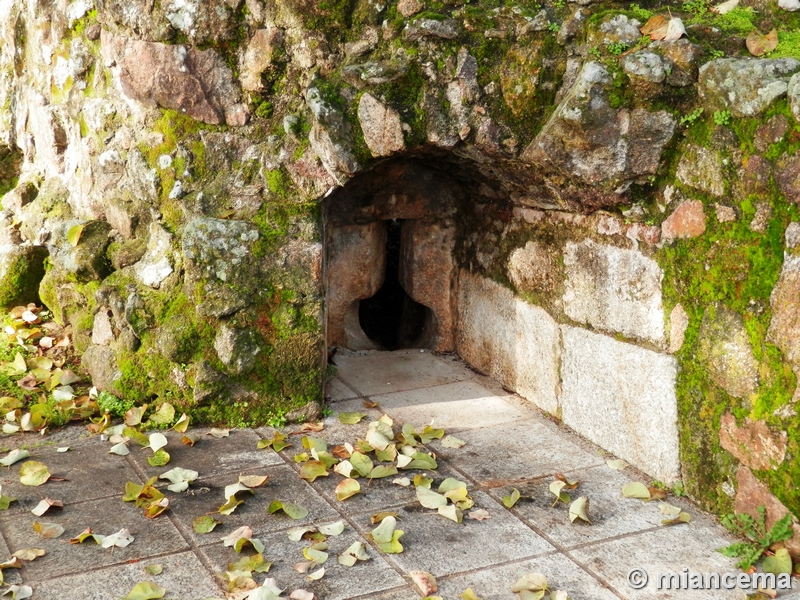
x: 219, y: 264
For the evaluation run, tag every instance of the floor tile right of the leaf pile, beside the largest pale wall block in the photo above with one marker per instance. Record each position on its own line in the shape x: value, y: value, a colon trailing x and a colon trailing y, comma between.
x: 516, y: 451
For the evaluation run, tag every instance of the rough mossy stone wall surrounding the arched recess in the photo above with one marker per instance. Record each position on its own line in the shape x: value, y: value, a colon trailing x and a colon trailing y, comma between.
x: 623, y: 214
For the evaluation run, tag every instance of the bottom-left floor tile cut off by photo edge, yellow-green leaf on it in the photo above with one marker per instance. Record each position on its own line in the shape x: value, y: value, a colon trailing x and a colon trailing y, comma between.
x: 183, y: 576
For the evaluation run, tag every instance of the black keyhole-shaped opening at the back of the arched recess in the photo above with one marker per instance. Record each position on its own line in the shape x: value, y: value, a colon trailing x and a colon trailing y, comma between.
x: 391, y: 318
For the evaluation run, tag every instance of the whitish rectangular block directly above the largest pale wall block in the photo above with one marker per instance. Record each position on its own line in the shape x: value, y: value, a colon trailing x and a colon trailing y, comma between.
x: 614, y: 289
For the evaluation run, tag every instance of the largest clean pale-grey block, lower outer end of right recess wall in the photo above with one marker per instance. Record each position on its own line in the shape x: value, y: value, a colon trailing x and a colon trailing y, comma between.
x: 623, y: 397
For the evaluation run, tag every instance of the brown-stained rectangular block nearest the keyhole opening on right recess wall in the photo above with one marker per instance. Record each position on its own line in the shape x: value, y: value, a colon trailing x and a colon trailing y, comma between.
x: 512, y: 341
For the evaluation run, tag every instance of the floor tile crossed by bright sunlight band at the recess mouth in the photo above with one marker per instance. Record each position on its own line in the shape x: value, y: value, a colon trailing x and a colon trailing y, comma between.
x: 455, y: 406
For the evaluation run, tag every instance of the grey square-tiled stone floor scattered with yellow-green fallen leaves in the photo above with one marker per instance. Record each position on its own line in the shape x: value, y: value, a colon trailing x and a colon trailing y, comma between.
x: 508, y: 445
